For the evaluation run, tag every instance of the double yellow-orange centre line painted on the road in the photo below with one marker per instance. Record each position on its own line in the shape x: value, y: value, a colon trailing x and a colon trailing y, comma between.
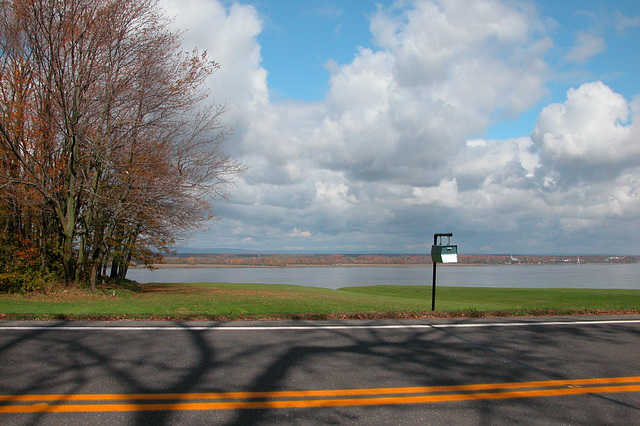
x: 311, y: 398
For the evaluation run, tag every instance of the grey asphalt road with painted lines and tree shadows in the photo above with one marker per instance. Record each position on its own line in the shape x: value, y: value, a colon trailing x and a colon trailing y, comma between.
x: 570, y: 370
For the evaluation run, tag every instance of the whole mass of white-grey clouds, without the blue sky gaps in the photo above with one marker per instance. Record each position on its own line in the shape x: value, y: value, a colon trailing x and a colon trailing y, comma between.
x: 392, y: 154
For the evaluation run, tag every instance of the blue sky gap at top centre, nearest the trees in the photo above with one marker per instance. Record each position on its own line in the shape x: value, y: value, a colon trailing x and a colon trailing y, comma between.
x: 299, y: 39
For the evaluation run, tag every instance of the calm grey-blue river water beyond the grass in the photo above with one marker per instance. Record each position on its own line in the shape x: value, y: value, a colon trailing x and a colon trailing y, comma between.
x: 625, y: 276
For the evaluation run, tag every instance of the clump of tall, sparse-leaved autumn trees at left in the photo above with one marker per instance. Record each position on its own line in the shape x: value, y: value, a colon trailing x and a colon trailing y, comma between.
x: 108, y: 151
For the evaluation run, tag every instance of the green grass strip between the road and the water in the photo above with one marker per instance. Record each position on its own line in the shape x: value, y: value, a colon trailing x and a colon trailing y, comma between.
x: 208, y: 301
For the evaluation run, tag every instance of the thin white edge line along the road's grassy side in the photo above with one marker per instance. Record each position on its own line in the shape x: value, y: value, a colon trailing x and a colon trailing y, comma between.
x: 316, y: 327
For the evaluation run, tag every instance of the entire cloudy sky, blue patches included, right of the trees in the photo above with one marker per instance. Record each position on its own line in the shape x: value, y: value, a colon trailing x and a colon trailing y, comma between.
x: 368, y: 126
